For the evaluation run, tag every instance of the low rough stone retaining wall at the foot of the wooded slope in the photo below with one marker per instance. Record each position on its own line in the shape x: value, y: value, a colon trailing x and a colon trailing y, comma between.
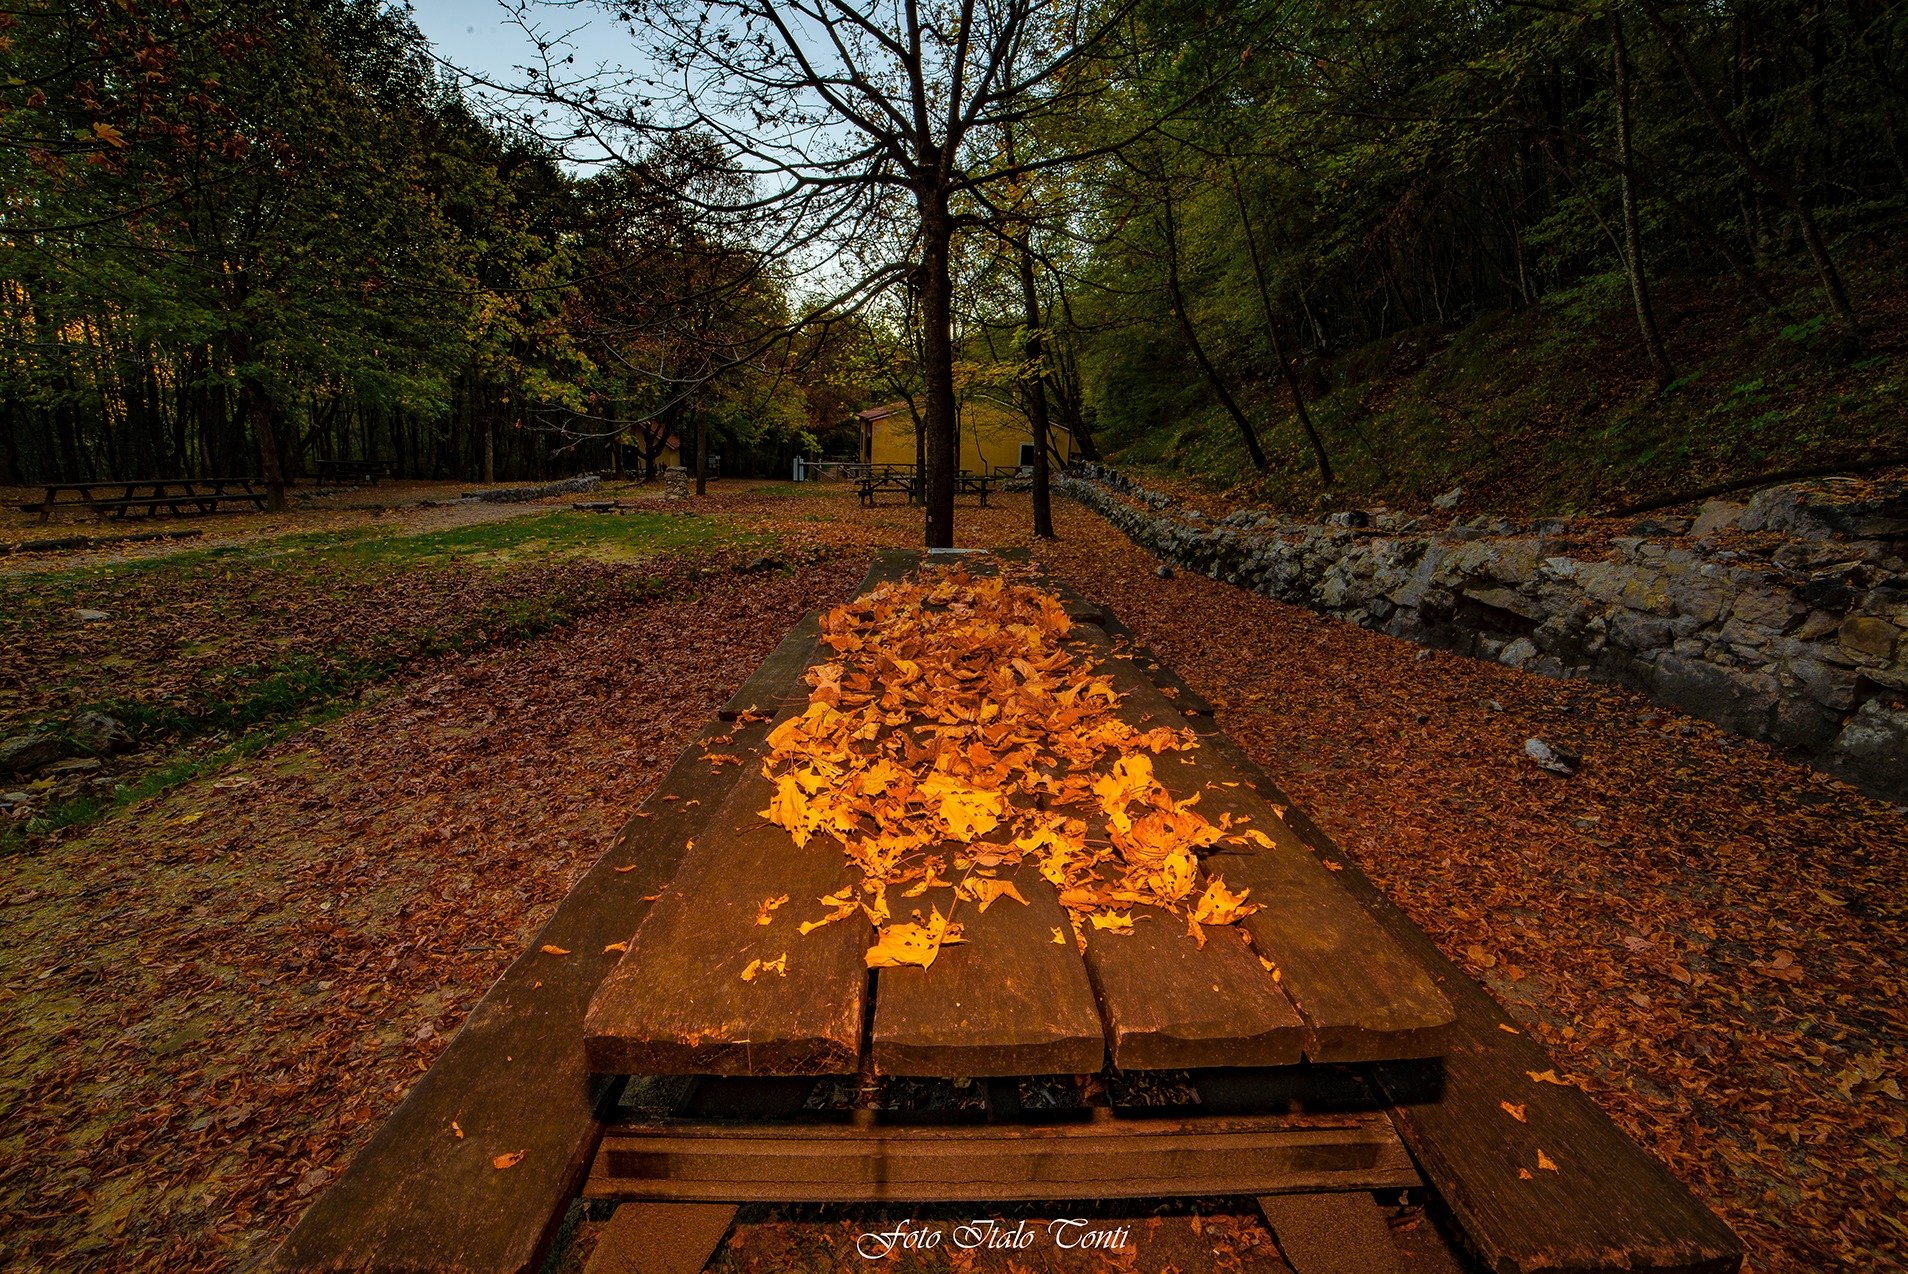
x: 1783, y: 619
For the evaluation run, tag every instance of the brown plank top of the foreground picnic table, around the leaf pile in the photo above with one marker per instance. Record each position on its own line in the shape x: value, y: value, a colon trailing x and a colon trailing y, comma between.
x: 1310, y: 976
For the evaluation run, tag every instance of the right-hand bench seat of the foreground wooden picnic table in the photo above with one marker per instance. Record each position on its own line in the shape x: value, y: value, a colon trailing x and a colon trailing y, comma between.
x: 1609, y: 1206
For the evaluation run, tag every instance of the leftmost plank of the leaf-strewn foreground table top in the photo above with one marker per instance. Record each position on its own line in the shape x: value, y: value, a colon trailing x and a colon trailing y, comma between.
x: 678, y: 1002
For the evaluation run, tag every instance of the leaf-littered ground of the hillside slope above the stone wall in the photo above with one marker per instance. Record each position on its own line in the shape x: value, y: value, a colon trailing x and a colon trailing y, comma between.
x: 1552, y: 411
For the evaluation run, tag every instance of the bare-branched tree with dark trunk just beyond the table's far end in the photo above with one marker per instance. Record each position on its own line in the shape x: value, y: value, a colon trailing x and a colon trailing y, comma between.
x: 869, y: 134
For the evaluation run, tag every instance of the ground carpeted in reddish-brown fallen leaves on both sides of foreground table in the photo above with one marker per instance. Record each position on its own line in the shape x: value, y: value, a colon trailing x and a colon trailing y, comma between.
x: 1707, y: 935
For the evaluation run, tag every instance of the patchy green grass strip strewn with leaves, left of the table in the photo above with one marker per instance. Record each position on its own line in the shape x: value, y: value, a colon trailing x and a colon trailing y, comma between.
x: 209, y: 655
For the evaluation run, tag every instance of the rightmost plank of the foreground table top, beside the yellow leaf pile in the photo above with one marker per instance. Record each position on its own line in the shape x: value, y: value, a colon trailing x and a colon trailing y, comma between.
x: 1359, y: 993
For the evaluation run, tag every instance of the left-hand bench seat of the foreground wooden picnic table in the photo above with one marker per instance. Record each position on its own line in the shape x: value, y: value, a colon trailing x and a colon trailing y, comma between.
x: 514, y: 1079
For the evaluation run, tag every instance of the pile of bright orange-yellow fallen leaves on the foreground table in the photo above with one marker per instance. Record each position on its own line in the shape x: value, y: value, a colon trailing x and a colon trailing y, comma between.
x: 953, y: 737
